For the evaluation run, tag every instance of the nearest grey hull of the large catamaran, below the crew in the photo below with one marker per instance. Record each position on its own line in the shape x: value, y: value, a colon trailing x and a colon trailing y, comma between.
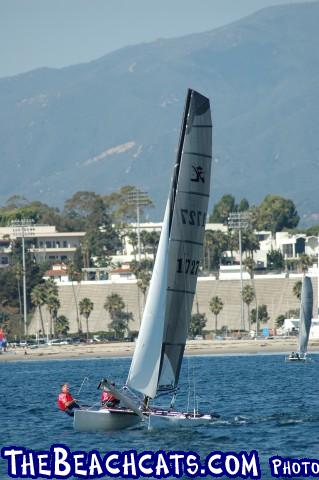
x: 103, y: 420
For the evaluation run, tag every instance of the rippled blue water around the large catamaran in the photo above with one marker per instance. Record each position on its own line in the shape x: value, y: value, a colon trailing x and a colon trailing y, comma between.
x: 265, y: 404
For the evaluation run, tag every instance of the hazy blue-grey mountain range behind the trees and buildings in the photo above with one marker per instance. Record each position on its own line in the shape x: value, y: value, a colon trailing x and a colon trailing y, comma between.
x: 115, y: 121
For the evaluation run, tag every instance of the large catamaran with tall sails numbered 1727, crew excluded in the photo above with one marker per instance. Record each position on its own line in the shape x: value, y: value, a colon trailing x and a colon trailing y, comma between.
x: 158, y: 355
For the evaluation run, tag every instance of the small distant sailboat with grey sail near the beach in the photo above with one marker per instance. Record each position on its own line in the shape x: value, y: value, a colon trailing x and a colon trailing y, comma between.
x: 306, y: 304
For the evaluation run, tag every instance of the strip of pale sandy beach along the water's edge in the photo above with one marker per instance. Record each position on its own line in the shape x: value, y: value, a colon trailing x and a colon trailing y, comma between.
x: 125, y: 349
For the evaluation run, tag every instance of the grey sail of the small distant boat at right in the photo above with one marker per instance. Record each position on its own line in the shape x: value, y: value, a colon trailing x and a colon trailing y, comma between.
x: 306, y: 305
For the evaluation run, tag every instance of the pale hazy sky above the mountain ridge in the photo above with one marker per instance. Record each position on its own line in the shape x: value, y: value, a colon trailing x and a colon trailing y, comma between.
x: 56, y: 33
